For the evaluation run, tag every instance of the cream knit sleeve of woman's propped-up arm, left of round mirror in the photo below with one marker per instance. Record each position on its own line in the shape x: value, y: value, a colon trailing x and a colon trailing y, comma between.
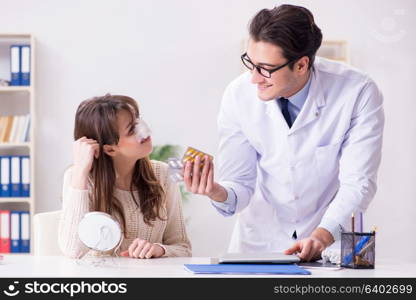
x: 75, y: 205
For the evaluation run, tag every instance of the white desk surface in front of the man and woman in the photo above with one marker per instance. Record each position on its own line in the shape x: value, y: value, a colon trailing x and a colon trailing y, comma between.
x: 20, y: 265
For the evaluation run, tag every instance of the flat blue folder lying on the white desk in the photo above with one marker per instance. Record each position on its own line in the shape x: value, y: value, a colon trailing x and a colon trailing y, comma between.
x: 250, y: 269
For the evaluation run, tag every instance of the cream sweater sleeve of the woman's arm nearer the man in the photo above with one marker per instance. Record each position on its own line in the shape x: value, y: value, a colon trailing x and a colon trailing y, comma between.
x: 175, y: 239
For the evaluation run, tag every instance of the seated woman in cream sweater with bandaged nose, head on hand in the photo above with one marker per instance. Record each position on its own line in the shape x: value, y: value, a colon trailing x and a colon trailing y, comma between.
x: 112, y: 173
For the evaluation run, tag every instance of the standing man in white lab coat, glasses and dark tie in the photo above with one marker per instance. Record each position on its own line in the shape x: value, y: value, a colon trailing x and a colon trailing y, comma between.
x: 300, y: 141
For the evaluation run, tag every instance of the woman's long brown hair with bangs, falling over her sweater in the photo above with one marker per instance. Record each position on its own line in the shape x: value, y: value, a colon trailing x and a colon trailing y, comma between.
x: 96, y: 119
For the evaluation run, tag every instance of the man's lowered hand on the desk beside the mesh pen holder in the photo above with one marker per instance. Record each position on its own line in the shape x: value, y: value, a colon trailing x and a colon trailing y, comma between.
x: 311, y: 248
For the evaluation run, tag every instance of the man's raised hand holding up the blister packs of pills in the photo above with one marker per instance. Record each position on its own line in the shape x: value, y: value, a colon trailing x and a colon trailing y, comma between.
x: 202, y: 182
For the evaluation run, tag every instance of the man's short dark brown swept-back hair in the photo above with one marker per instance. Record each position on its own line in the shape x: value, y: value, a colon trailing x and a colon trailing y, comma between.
x: 290, y: 27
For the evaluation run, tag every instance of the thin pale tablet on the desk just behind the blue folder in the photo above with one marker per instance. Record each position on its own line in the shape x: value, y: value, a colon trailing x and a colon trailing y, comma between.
x: 258, y: 258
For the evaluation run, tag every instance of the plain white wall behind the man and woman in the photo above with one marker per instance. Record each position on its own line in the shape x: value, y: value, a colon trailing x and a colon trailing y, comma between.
x: 176, y: 57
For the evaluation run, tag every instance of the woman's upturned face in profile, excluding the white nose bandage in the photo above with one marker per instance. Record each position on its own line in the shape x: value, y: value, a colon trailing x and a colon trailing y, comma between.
x: 130, y: 145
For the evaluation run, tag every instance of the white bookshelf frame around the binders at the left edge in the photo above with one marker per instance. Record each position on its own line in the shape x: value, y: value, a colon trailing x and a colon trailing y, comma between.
x: 19, y: 100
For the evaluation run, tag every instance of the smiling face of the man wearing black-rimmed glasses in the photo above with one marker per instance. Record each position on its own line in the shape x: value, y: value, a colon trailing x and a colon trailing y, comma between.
x: 283, y: 82
